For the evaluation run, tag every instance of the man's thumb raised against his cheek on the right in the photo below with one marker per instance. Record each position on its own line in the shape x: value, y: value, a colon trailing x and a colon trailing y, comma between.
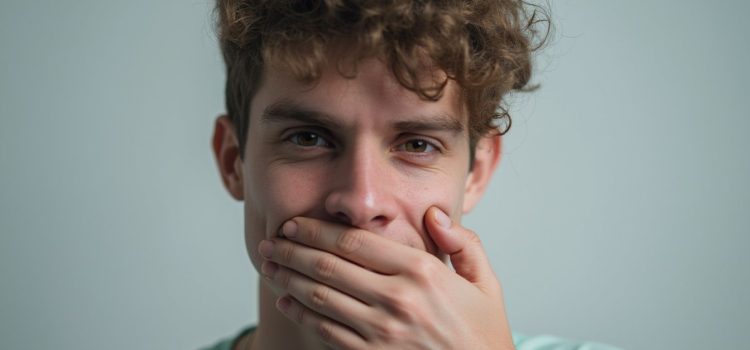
x: 463, y: 246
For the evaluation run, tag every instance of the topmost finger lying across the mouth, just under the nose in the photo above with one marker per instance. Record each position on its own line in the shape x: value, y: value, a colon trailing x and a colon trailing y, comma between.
x: 362, y: 247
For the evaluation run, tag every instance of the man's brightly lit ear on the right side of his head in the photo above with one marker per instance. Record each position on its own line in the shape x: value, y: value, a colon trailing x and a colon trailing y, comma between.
x: 486, y: 159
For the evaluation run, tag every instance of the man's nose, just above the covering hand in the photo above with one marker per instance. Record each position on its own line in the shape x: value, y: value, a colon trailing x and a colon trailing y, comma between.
x: 361, y: 192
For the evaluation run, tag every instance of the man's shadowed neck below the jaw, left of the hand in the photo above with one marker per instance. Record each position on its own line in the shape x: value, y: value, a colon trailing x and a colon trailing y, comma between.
x: 276, y: 331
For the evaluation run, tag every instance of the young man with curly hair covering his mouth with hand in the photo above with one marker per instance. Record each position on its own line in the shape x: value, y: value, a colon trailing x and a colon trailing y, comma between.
x: 358, y: 133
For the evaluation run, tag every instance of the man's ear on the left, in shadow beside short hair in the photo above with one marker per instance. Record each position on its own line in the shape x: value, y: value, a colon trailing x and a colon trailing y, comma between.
x: 227, y: 153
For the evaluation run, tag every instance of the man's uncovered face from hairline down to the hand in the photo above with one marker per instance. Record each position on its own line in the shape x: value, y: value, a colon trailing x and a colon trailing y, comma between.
x: 365, y: 152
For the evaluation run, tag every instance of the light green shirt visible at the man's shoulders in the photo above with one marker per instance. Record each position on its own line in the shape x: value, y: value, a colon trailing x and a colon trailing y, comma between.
x: 522, y: 342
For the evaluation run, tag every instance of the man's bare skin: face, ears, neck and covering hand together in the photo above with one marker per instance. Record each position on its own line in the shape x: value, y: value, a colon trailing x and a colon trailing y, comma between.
x: 353, y: 191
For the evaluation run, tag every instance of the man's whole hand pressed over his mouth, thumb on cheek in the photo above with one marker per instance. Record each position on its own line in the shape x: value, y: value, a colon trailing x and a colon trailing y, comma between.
x: 359, y: 290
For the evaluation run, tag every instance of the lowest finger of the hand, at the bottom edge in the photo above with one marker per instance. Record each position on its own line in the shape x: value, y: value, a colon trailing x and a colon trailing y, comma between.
x: 331, y: 332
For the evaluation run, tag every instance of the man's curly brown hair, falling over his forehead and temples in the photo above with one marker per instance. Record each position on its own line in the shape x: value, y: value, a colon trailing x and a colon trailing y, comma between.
x: 485, y: 46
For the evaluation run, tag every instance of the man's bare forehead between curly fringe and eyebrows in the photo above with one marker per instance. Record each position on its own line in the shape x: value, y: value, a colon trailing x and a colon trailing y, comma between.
x: 372, y: 96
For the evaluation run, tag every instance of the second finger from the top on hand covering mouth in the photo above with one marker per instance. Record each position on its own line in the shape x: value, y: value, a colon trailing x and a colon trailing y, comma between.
x: 324, y: 267
